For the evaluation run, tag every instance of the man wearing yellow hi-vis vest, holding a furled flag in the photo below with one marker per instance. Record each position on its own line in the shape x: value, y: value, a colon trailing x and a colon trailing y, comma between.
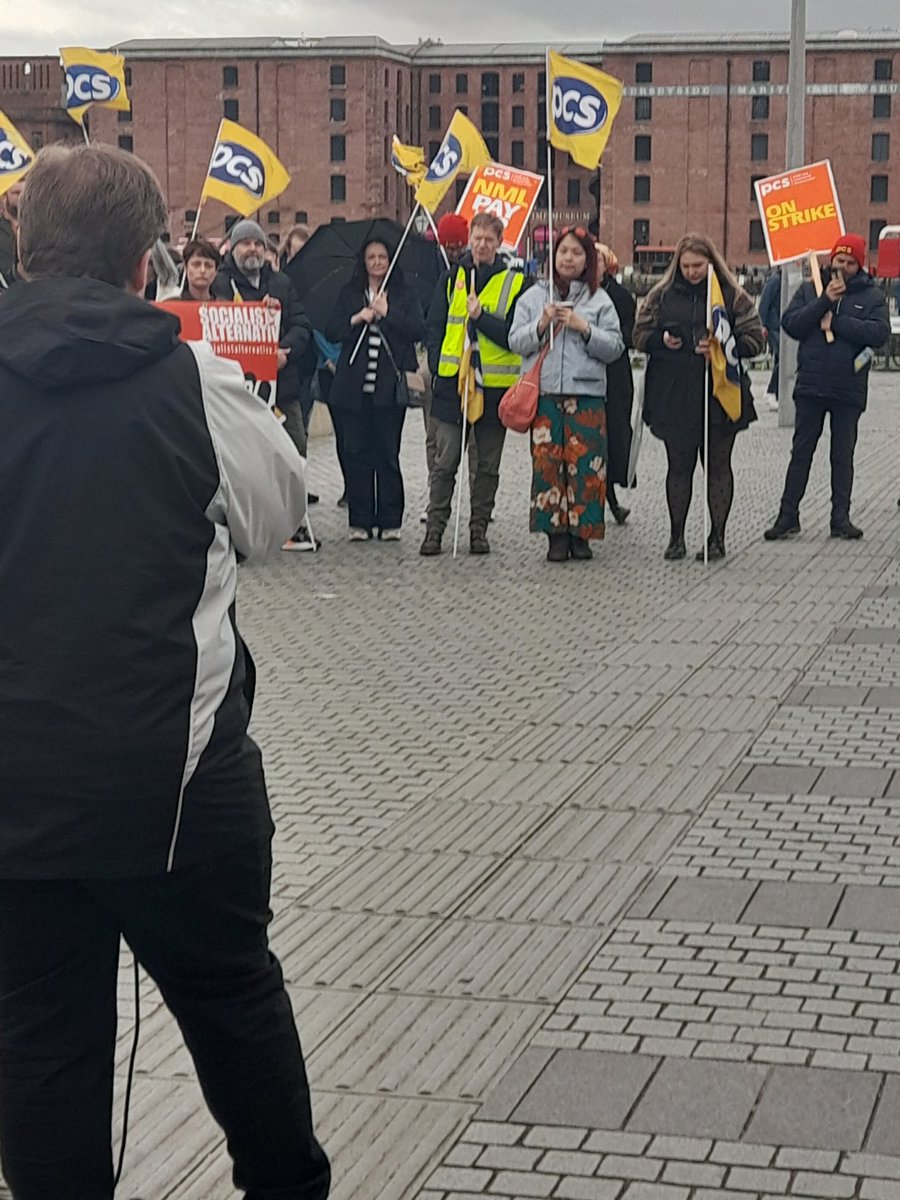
x: 490, y: 307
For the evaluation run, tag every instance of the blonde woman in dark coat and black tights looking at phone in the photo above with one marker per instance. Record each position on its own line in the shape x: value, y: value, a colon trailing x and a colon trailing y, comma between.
x: 673, y: 331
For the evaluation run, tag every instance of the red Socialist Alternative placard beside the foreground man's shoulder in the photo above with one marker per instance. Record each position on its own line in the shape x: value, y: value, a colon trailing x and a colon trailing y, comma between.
x: 247, y: 333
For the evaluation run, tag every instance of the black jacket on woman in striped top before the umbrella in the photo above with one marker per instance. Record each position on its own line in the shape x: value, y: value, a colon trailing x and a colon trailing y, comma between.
x: 403, y: 328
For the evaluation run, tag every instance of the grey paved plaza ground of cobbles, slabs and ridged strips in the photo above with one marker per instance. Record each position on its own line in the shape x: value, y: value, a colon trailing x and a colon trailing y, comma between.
x: 585, y: 874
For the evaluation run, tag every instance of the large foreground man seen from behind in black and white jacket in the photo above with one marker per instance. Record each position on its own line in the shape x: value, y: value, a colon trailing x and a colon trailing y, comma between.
x: 135, y: 472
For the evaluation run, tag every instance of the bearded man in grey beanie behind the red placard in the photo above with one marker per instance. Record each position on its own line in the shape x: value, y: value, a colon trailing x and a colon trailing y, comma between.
x: 247, y: 275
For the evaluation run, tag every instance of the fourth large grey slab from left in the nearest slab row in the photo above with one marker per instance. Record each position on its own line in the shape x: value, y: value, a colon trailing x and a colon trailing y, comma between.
x: 815, y: 1109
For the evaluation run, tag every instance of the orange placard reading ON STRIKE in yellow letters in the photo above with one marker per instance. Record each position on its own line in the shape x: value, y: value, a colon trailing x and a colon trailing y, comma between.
x: 801, y: 213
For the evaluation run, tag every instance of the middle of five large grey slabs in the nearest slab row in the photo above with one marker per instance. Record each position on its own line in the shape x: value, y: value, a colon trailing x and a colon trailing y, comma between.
x: 701, y: 1100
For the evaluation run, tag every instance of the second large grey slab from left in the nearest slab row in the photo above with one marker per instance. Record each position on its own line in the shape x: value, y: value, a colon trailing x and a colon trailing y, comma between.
x: 587, y: 1089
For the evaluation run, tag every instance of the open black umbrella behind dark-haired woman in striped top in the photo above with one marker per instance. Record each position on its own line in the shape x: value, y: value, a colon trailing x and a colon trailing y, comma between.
x: 326, y: 263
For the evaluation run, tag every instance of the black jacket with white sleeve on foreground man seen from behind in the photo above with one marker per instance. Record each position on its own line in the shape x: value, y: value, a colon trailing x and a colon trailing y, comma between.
x: 133, y: 469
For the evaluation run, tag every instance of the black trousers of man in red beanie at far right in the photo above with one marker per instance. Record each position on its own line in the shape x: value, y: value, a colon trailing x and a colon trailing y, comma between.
x: 809, y: 423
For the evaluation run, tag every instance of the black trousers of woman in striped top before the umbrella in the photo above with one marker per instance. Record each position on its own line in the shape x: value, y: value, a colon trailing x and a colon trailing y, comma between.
x: 371, y: 461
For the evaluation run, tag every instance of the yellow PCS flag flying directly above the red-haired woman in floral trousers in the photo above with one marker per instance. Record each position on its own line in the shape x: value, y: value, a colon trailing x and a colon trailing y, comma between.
x: 584, y: 105
